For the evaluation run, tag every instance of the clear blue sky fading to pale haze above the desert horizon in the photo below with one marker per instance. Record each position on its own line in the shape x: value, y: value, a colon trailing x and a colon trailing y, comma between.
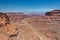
x: 28, y: 5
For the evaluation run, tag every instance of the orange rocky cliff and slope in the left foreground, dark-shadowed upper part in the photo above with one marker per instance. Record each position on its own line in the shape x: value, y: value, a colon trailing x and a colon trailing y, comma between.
x: 6, y: 29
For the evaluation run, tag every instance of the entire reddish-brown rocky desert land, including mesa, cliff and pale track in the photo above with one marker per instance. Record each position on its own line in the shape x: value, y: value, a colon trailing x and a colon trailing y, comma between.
x: 30, y: 28
